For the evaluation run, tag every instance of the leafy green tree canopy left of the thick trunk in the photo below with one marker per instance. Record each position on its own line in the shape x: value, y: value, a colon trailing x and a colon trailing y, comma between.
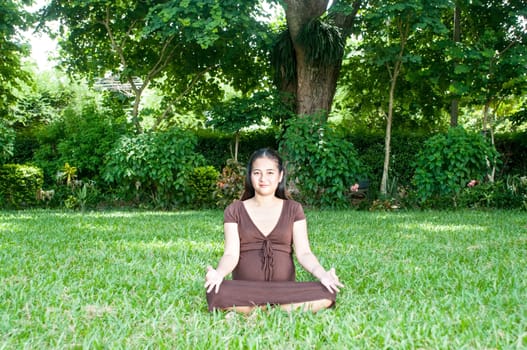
x: 186, y: 48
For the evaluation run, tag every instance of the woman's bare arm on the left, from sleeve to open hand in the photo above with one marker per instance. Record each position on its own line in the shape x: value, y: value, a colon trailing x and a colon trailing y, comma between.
x: 229, y: 260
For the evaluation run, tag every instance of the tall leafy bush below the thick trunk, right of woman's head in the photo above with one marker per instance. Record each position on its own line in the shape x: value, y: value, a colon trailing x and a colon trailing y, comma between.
x: 322, y: 164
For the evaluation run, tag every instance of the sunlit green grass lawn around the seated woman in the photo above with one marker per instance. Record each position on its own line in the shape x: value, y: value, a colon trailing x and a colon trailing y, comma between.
x: 134, y: 280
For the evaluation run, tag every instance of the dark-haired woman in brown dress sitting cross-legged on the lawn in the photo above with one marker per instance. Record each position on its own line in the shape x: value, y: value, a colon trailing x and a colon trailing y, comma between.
x: 261, y: 231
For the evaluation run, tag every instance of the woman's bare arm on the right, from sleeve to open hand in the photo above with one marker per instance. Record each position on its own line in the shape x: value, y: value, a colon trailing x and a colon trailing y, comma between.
x: 309, y: 261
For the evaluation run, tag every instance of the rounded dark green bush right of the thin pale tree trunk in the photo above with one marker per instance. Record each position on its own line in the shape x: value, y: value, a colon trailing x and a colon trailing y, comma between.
x: 447, y: 163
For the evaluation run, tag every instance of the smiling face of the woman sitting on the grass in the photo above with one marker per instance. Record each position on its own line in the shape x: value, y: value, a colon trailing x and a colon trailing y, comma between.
x: 265, y: 176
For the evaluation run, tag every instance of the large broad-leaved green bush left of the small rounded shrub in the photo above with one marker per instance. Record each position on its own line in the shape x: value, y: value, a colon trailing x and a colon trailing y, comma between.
x: 155, y: 167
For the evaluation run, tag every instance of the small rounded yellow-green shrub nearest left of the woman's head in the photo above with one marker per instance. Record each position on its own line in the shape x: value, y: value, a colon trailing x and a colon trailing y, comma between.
x: 202, y: 184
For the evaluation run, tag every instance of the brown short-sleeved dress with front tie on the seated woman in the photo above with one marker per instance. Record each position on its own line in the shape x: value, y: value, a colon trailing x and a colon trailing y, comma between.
x: 265, y: 273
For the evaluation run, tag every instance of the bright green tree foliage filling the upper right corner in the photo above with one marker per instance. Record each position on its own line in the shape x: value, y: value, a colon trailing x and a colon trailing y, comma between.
x: 485, y: 66
